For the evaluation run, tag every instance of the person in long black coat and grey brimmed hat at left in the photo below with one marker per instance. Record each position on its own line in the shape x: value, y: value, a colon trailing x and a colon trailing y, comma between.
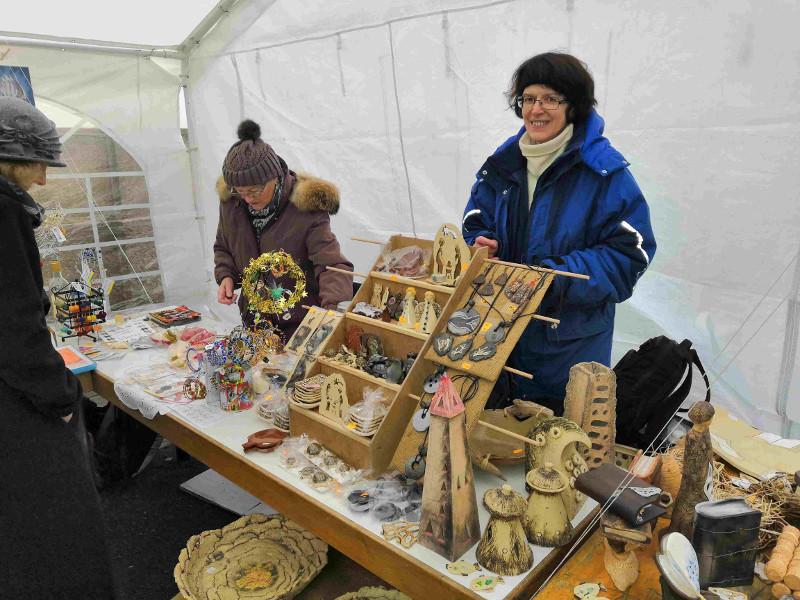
x: 52, y: 539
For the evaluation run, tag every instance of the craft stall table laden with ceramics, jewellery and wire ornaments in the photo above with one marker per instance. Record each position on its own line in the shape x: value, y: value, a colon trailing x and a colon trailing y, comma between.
x: 373, y: 436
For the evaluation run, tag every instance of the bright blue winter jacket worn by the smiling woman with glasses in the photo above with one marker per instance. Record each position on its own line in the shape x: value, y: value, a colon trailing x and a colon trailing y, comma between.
x: 588, y: 216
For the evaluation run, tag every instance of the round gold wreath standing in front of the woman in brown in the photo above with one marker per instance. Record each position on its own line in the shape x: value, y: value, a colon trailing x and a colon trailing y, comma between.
x: 264, y: 299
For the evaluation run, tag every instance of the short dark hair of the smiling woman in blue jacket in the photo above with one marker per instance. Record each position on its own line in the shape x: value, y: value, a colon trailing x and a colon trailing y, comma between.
x: 564, y: 73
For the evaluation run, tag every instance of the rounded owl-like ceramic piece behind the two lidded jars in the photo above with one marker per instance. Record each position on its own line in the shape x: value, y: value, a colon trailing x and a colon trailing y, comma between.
x: 561, y: 442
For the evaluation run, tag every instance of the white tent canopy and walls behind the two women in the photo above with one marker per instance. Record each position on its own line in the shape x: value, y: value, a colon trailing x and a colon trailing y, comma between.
x: 400, y: 102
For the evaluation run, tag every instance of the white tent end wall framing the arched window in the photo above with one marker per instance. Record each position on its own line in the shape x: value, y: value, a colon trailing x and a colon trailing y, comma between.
x: 136, y: 102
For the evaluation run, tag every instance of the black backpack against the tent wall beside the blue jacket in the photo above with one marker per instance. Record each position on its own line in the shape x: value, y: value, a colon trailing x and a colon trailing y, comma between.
x: 652, y: 383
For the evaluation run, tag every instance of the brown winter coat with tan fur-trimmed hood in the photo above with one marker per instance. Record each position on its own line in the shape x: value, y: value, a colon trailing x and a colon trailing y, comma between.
x: 302, y: 229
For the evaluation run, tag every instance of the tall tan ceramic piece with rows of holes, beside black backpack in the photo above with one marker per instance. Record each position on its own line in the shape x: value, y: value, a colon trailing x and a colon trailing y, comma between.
x: 591, y: 402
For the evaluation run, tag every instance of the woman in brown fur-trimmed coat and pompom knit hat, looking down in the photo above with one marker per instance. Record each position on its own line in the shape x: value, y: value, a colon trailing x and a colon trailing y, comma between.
x: 264, y: 207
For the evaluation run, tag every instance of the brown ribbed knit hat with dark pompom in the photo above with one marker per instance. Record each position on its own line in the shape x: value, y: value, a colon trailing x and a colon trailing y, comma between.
x: 250, y: 161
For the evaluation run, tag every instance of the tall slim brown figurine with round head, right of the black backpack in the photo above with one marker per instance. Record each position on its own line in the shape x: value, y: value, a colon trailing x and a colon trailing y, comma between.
x: 697, y: 457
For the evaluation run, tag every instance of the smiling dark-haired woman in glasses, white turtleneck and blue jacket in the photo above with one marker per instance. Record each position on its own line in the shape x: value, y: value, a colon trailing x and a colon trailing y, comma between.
x: 557, y: 194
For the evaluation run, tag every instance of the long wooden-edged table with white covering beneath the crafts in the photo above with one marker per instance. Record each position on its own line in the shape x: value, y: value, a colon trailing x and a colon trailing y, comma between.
x: 418, y: 572
